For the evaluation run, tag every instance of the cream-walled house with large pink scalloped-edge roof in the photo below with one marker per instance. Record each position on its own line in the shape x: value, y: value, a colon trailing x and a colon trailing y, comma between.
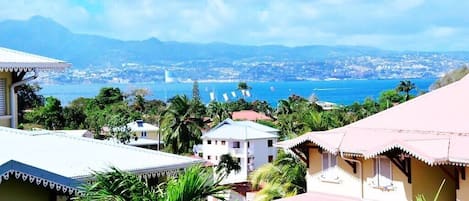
x: 397, y: 154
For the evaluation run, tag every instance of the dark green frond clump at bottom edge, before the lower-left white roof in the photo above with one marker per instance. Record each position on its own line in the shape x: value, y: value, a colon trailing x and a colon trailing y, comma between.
x: 117, y: 185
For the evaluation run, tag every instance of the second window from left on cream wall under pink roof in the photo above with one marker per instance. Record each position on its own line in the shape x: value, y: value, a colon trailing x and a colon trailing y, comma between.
x: 383, y: 172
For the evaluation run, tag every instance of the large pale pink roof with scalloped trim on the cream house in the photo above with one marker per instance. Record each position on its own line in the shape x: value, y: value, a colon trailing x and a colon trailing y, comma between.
x: 433, y: 127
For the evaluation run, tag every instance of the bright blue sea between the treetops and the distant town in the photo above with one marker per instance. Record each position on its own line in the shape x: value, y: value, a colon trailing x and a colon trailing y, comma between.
x: 338, y: 91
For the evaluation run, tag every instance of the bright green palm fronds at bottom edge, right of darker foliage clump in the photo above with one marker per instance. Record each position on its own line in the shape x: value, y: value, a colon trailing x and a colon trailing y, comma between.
x: 195, y: 184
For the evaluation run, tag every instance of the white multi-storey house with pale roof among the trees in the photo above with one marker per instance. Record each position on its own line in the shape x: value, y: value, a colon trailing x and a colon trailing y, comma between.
x: 249, y: 142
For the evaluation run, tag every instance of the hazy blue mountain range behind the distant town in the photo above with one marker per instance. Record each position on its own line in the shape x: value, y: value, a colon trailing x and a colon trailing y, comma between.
x: 46, y: 37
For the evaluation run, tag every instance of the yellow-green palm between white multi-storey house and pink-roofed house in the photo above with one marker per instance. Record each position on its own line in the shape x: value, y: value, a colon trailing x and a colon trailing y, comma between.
x: 282, y: 178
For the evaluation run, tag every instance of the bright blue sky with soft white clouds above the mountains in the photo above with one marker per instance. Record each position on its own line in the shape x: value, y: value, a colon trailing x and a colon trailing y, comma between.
x: 423, y: 25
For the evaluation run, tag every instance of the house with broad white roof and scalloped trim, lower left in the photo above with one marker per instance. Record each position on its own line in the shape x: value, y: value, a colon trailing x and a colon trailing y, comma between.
x: 48, y: 165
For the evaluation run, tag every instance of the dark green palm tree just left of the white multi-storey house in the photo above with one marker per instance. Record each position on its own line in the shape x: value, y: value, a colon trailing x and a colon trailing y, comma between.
x: 182, y: 124
